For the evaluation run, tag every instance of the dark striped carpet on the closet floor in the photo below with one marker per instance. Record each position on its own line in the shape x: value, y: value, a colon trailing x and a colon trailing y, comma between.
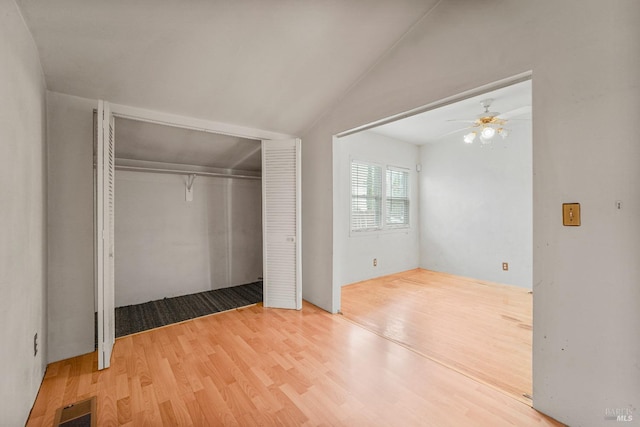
x: 153, y: 314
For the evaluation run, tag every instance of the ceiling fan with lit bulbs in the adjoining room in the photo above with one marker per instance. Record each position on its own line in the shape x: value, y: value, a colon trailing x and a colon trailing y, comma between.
x: 489, y: 123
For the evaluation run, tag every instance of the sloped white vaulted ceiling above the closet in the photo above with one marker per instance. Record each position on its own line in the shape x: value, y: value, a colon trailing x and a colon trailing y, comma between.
x: 269, y: 64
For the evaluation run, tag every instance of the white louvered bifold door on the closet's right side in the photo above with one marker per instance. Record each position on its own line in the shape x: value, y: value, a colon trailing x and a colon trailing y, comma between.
x: 281, y: 224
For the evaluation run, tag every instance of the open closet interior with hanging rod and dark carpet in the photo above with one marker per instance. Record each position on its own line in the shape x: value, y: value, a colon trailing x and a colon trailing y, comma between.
x: 188, y: 224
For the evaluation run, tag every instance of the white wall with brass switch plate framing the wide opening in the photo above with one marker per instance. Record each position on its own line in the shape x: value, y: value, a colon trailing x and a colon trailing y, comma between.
x: 585, y: 63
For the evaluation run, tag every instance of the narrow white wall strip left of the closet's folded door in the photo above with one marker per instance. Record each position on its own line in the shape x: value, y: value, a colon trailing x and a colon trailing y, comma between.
x: 70, y: 225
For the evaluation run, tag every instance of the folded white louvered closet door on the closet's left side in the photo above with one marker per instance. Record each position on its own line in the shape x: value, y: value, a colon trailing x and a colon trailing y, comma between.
x: 105, y: 181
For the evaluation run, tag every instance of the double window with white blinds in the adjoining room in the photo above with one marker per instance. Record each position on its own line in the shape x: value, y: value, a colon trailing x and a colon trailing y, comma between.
x: 378, y: 204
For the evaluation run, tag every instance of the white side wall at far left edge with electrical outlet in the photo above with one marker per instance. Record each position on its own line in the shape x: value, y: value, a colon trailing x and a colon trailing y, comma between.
x: 23, y: 211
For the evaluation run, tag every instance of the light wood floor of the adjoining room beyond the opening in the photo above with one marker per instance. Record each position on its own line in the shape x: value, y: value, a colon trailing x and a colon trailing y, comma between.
x: 480, y: 329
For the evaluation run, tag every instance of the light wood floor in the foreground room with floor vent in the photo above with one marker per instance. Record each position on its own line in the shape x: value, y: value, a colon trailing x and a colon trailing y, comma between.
x: 260, y: 366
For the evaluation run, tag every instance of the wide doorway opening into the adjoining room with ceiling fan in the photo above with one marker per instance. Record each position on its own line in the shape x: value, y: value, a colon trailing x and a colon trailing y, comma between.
x: 470, y: 232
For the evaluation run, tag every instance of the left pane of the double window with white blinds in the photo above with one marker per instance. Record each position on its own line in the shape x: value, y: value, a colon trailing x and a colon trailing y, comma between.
x: 366, y: 196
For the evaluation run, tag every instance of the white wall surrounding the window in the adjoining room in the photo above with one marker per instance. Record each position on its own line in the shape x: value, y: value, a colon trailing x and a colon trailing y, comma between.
x: 395, y: 250
